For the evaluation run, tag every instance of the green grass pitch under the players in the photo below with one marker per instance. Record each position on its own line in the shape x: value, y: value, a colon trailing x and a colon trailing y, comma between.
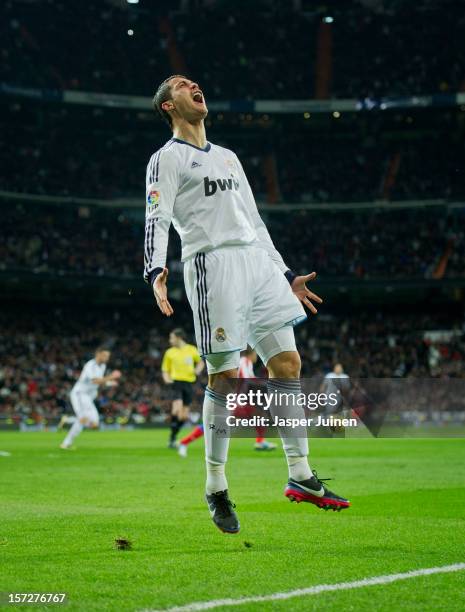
x: 61, y: 512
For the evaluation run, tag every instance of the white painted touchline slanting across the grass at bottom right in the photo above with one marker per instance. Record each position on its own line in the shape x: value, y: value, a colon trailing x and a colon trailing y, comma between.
x: 315, y: 590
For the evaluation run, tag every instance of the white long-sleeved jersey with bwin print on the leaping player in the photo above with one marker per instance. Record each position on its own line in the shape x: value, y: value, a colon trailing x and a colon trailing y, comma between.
x: 206, y: 195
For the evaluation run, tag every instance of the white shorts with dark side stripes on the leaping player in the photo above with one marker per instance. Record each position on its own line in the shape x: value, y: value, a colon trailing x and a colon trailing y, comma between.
x: 238, y: 296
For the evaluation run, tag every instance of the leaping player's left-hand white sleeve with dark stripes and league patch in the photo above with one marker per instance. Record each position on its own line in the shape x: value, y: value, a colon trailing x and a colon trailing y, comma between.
x: 161, y: 187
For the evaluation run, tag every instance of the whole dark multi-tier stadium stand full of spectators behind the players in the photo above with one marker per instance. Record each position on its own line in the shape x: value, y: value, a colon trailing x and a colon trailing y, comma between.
x: 405, y: 166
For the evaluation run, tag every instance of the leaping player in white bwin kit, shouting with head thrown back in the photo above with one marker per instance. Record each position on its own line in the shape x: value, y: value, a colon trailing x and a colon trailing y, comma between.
x: 240, y: 290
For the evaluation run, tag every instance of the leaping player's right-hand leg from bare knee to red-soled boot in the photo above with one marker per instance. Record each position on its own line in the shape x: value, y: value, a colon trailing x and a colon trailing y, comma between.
x: 303, y: 484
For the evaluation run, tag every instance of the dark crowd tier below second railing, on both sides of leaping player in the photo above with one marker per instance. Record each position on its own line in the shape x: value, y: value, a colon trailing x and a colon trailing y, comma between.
x: 370, y: 244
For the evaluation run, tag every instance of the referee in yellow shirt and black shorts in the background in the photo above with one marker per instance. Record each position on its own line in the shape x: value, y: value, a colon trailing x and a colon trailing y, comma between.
x: 180, y: 367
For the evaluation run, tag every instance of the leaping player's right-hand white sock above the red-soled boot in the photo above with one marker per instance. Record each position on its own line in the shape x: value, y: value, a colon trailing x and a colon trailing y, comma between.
x: 295, y: 446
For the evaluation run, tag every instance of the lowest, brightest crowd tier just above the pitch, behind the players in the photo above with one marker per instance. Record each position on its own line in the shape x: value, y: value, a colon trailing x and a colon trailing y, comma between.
x: 43, y: 350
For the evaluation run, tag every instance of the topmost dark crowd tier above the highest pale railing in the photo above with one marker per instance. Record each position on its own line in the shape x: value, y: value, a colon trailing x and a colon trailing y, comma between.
x: 263, y: 50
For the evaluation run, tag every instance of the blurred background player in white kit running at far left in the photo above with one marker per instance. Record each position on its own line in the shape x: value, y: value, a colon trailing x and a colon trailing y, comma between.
x: 85, y: 391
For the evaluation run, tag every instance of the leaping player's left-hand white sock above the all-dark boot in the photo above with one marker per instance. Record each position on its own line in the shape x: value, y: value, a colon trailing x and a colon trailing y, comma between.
x: 216, y: 440
